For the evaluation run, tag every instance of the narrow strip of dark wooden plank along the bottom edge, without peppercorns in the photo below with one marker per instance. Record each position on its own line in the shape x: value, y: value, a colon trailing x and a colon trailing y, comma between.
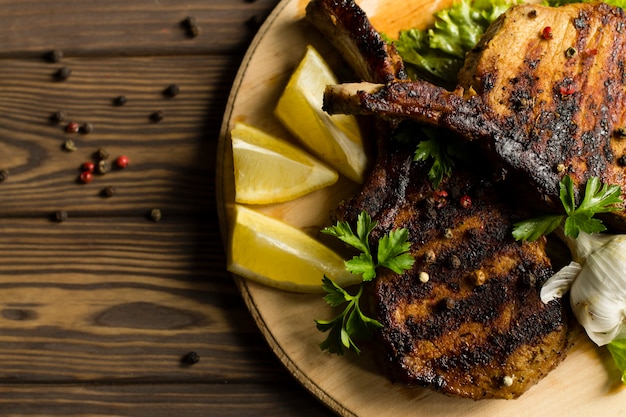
x: 217, y: 400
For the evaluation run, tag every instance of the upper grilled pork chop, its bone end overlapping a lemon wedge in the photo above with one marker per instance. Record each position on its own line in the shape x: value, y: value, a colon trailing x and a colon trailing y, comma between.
x: 544, y: 102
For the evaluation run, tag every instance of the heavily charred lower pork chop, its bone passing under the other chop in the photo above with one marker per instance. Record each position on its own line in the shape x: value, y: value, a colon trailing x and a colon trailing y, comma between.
x: 476, y: 327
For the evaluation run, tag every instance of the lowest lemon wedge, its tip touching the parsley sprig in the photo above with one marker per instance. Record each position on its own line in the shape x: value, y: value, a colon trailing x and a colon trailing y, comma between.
x: 276, y: 254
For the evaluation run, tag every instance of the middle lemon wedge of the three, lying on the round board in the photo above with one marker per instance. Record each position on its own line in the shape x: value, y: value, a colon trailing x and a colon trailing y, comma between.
x: 271, y: 170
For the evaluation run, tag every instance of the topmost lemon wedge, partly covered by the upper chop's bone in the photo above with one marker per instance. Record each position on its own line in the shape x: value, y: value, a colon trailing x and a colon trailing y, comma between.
x: 335, y: 139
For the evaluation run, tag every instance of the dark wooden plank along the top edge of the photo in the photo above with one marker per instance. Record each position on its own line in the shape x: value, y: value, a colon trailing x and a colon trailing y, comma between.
x: 139, y: 27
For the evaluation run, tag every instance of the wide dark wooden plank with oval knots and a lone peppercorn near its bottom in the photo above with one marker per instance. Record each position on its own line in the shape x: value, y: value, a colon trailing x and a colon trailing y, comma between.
x: 122, y: 299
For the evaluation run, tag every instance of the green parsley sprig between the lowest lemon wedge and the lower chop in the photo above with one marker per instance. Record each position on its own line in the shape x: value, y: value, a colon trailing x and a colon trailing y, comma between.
x: 392, y: 252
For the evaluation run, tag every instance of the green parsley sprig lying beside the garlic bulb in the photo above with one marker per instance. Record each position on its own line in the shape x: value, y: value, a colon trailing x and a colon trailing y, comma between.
x: 598, y: 198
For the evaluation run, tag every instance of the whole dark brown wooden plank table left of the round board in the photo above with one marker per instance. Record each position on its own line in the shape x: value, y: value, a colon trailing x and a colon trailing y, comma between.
x: 98, y: 310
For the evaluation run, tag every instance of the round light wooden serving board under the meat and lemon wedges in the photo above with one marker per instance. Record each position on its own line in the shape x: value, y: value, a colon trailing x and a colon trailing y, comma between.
x: 585, y: 384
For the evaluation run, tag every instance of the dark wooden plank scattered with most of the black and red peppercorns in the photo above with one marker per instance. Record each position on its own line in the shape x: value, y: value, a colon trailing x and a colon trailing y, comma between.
x: 172, y: 162
